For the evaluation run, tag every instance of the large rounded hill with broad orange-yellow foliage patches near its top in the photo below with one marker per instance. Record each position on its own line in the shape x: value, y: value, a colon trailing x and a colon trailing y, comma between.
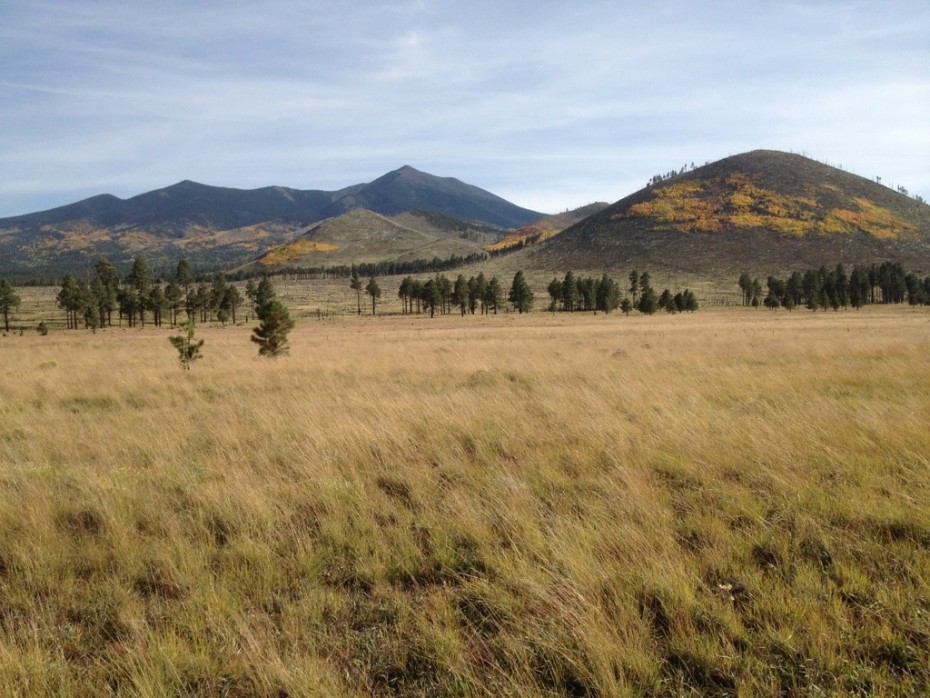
x: 763, y: 211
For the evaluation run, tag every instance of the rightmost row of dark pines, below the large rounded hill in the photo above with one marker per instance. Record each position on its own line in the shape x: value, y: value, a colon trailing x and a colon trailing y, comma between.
x: 835, y: 288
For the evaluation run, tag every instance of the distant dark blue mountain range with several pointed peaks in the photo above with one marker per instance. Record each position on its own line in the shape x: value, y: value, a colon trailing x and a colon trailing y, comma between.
x: 217, y: 227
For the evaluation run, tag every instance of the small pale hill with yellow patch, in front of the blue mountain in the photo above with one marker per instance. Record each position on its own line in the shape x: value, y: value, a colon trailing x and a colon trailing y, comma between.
x: 363, y: 236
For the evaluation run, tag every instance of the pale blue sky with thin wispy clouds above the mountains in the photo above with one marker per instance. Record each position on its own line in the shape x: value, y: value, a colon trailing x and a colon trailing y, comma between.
x: 551, y: 105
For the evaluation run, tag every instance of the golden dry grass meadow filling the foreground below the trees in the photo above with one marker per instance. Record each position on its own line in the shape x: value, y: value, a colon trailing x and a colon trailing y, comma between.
x: 732, y: 502
